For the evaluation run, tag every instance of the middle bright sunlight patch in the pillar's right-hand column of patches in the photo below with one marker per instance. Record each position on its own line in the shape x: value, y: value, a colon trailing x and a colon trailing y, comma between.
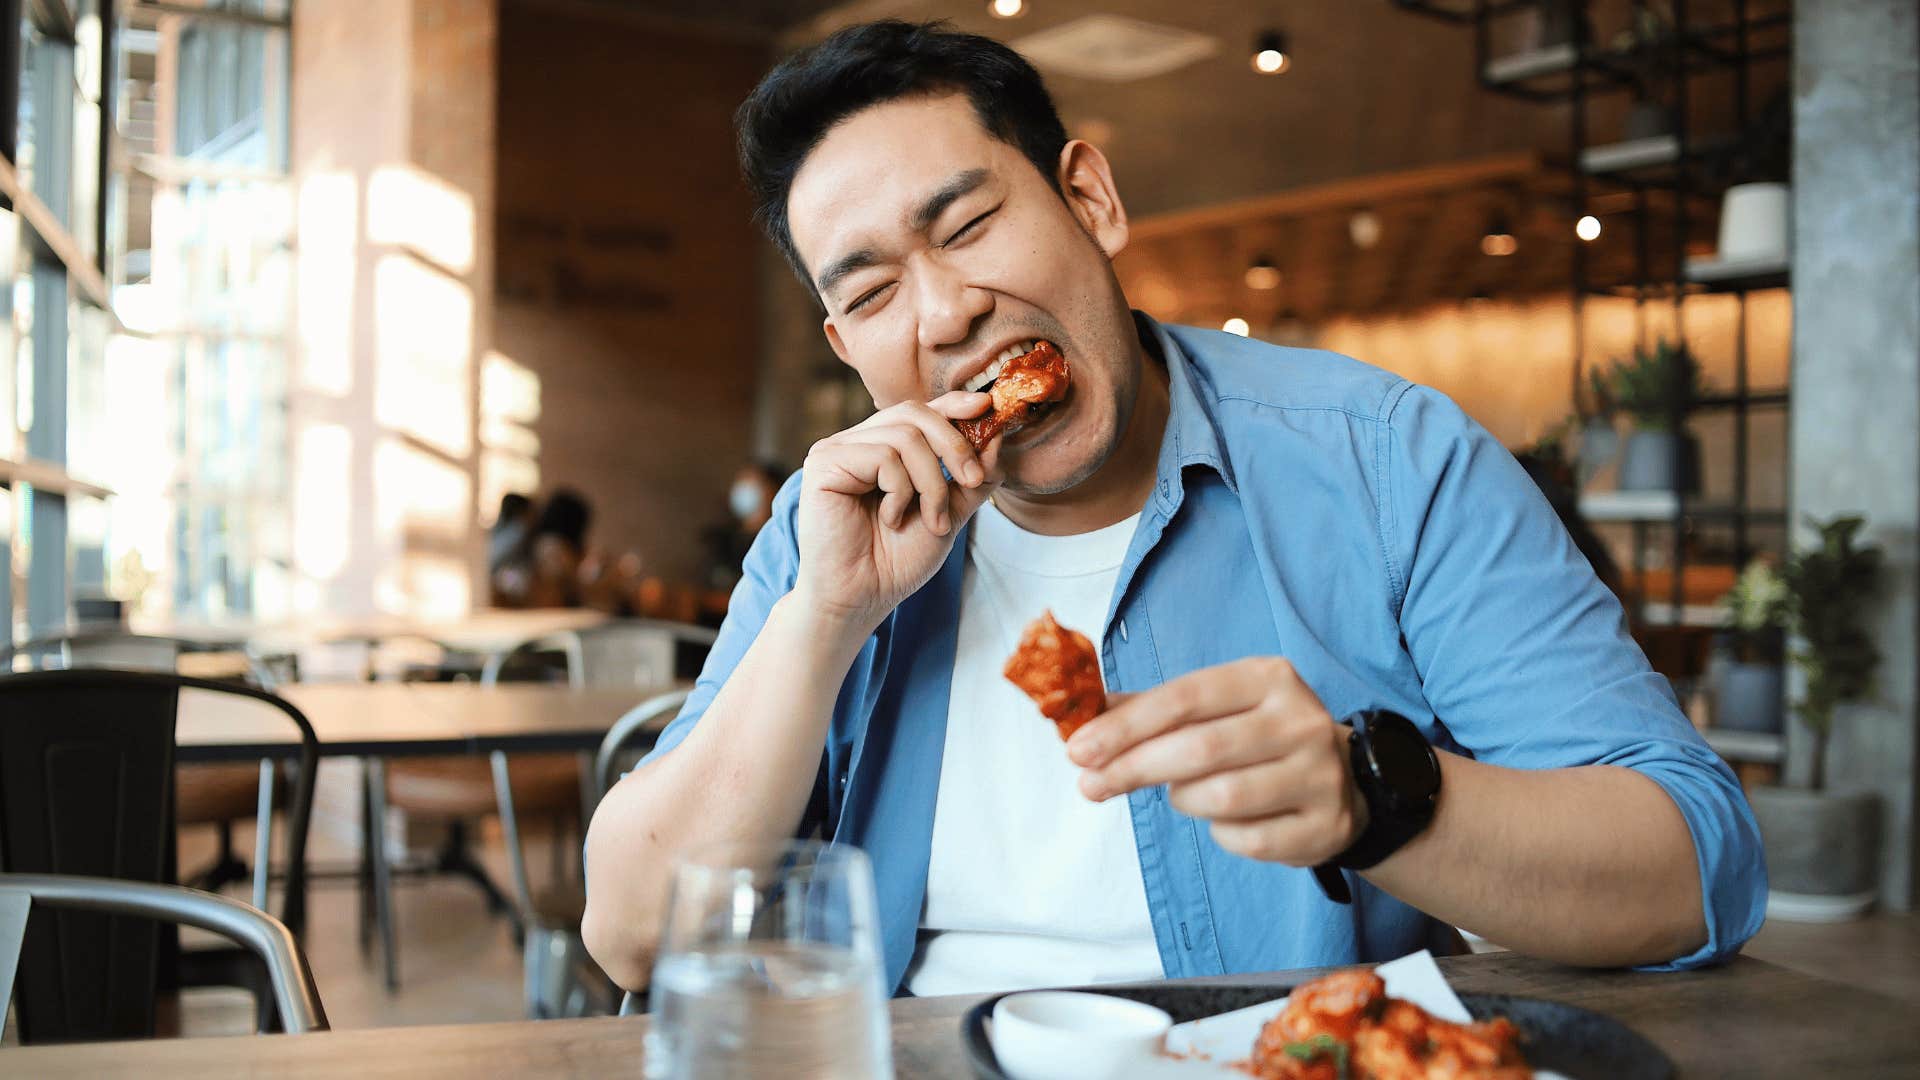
x: 423, y: 339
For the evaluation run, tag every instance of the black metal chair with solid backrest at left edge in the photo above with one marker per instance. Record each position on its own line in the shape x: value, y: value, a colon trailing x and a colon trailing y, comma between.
x: 87, y: 766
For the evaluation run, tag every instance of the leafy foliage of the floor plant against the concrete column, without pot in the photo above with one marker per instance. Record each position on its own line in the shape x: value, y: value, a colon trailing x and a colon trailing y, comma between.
x: 1831, y: 591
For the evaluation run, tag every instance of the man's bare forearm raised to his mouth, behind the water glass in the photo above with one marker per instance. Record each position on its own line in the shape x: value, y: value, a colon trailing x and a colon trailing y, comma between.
x: 742, y: 775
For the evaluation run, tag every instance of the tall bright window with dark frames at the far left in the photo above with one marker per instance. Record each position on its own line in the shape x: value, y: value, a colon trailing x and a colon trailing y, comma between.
x: 149, y: 264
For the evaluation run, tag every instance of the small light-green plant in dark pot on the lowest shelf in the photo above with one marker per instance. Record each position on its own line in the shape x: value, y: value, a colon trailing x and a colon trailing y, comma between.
x: 1748, y: 666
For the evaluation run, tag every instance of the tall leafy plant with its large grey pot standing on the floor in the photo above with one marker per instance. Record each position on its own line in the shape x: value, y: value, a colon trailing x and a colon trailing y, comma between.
x: 1823, y: 848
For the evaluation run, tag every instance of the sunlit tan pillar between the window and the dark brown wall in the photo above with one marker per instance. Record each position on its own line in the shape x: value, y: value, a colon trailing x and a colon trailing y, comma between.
x: 393, y: 159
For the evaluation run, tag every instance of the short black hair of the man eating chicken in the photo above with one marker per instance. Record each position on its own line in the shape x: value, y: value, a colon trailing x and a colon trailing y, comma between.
x: 871, y: 64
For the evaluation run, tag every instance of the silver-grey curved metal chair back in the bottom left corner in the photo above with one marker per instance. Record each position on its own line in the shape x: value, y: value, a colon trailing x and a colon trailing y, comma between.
x: 72, y: 906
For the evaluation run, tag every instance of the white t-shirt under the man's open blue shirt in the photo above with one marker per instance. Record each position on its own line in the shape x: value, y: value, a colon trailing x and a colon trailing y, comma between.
x: 1030, y: 883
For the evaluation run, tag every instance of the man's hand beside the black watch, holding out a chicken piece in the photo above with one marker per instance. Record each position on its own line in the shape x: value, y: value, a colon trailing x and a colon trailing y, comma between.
x: 1247, y: 747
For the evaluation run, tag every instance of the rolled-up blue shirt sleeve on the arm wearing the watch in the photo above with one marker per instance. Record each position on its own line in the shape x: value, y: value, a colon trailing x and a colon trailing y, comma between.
x: 1525, y: 656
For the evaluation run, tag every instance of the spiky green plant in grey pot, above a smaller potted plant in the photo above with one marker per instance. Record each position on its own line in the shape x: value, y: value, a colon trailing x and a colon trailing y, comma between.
x: 1656, y: 387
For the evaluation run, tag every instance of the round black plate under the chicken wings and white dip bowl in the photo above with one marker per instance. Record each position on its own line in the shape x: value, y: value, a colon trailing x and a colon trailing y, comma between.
x: 1568, y: 1041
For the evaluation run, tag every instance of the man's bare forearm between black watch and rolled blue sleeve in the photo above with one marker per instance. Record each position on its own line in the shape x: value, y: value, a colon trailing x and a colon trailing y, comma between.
x: 1587, y: 866
